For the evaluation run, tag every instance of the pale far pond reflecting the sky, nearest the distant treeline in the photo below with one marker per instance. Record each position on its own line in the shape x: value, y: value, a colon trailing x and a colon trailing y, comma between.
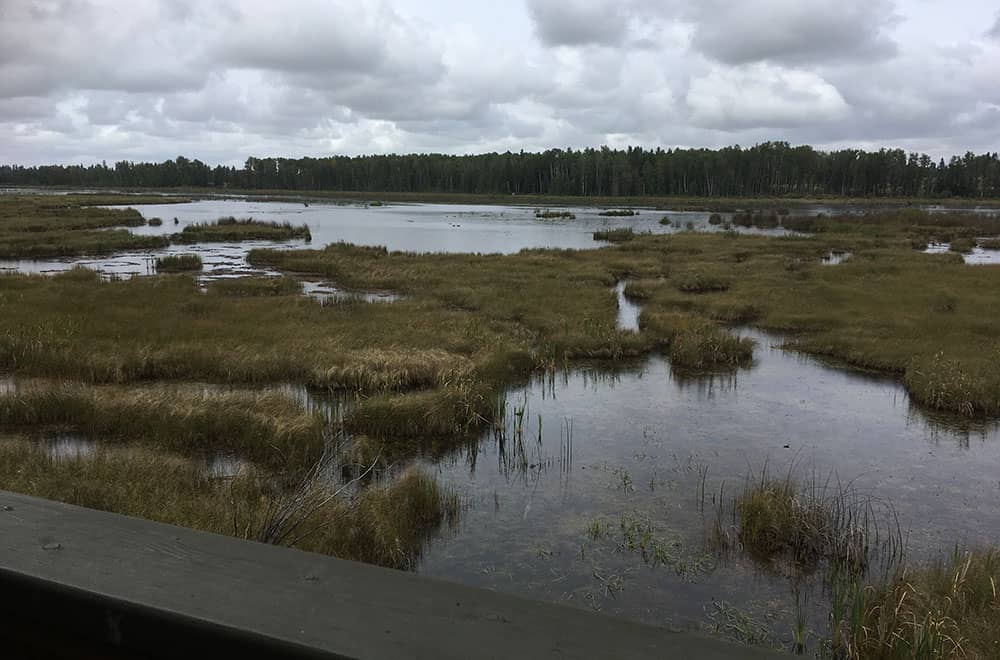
x: 413, y: 227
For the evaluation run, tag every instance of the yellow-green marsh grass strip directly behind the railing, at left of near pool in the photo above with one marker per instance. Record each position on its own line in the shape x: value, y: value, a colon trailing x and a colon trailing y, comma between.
x: 387, y: 524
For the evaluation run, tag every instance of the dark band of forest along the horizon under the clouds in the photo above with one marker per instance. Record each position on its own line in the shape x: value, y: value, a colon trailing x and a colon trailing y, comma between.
x: 770, y: 169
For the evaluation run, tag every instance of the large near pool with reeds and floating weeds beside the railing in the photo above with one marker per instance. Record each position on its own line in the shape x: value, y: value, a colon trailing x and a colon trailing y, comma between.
x: 640, y: 442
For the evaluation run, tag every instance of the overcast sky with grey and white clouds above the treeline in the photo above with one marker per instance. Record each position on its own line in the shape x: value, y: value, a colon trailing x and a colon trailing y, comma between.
x: 220, y: 80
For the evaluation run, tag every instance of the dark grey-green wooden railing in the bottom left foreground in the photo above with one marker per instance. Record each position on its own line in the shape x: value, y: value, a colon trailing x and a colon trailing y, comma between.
x: 94, y: 584
